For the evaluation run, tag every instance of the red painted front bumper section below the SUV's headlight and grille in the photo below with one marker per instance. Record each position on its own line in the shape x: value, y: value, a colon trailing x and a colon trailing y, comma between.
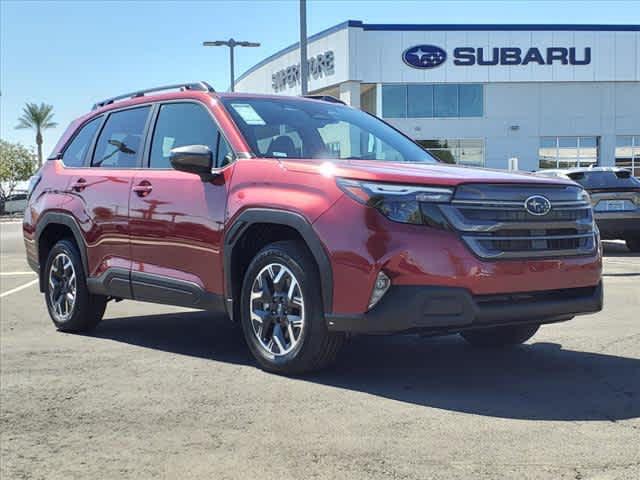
x: 361, y: 242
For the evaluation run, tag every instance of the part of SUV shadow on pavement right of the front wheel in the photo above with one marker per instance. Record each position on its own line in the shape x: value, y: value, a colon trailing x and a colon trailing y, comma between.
x: 538, y: 381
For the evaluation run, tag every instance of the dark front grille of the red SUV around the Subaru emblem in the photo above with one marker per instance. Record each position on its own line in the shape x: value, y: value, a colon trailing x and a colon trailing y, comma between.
x: 494, y: 223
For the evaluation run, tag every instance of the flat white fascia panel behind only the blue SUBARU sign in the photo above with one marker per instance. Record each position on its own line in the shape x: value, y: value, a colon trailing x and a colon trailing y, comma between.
x: 377, y: 56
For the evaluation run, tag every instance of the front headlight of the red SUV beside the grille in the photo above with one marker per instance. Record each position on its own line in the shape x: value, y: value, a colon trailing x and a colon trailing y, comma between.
x: 400, y: 203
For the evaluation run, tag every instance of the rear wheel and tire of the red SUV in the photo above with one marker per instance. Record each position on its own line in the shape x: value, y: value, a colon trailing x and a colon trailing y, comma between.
x: 71, y: 307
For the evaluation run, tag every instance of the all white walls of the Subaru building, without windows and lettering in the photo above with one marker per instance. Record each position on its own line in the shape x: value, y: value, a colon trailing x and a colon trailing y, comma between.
x: 600, y: 99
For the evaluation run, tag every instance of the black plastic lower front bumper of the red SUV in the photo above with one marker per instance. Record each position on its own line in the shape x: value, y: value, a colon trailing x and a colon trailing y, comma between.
x: 451, y: 309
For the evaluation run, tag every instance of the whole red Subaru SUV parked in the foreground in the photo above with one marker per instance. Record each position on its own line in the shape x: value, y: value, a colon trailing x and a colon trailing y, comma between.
x: 303, y: 219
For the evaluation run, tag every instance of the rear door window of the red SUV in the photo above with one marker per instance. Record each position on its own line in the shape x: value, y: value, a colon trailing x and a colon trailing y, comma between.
x: 121, y: 140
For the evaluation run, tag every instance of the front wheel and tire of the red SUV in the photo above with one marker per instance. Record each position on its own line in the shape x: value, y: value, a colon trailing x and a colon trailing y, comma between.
x: 281, y: 311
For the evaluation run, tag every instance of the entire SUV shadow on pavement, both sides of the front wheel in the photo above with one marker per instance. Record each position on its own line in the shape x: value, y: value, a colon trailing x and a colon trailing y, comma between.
x: 538, y: 381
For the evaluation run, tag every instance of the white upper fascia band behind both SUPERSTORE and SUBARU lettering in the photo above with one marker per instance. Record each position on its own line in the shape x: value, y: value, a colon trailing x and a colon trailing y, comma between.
x: 376, y: 57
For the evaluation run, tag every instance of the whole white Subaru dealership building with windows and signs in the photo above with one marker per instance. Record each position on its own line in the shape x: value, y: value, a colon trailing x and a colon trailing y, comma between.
x: 546, y: 95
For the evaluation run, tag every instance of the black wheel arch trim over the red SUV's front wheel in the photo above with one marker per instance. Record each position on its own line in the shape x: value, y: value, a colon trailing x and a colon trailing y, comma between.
x: 287, y: 218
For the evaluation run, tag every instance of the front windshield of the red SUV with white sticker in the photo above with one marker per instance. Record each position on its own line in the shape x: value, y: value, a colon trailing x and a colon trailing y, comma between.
x: 291, y: 128
